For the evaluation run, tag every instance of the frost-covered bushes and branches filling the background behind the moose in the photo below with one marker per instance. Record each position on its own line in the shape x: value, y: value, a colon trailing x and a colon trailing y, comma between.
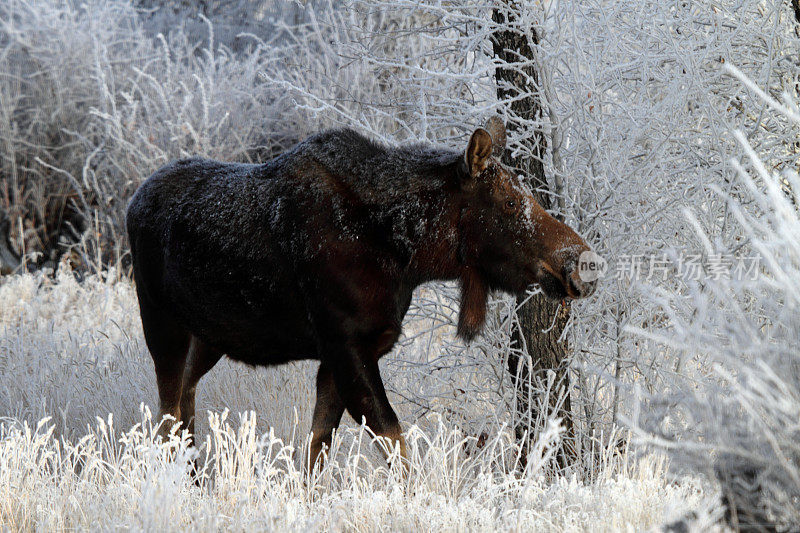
x: 639, y: 111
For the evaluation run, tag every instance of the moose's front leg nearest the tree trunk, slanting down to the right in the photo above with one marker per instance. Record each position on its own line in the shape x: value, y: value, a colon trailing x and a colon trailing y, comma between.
x: 361, y: 389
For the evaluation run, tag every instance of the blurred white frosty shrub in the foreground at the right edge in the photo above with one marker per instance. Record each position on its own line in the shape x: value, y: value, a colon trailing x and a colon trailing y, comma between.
x: 739, y: 422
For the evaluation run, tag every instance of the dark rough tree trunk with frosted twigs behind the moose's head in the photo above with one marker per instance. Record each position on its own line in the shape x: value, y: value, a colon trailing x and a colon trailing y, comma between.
x: 541, y: 321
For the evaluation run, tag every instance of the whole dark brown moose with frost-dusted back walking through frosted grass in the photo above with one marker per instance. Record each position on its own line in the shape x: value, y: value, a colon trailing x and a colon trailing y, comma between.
x: 315, y: 254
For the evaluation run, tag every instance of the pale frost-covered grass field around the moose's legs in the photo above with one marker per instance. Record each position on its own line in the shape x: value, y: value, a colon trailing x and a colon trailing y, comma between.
x: 75, y: 353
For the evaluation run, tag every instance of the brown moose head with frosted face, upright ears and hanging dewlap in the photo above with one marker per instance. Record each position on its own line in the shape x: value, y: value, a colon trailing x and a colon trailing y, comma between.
x: 508, y: 241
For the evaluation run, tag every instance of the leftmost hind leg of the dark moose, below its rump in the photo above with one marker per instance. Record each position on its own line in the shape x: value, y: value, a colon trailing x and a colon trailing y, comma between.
x: 168, y: 344
